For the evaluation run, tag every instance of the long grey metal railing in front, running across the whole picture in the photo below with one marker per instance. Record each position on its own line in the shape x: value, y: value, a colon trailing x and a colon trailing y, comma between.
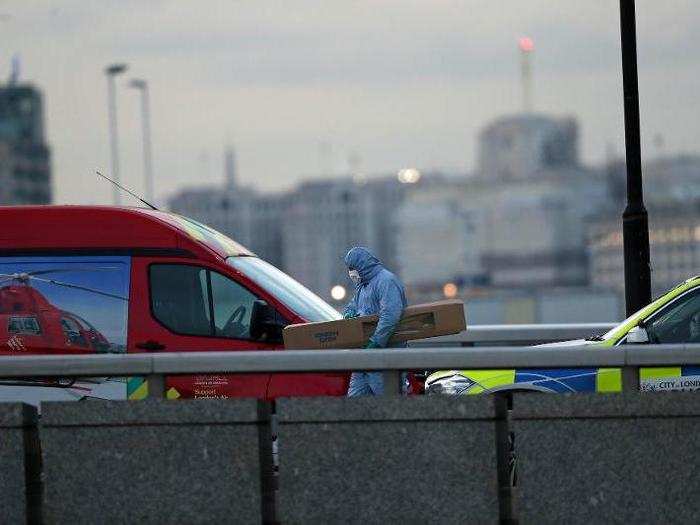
x: 158, y: 365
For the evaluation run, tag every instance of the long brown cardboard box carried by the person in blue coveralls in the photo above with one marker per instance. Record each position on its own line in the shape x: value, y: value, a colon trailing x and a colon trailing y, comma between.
x: 417, y: 322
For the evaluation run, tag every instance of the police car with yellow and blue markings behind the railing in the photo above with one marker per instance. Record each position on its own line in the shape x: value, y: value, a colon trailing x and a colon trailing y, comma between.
x: 672, y: 318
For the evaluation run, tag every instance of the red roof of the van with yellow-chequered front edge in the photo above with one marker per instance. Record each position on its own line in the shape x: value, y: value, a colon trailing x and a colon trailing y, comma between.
x: 29, y: 228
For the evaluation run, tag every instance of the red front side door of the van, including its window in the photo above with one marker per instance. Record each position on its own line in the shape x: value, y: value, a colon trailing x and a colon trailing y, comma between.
x: 183, y: 306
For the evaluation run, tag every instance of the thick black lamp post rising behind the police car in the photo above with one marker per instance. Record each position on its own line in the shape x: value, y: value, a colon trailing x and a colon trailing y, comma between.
x: 635, y: 224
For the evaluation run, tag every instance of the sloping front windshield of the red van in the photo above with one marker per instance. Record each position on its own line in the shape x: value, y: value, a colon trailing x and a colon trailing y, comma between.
x: 296, y: 296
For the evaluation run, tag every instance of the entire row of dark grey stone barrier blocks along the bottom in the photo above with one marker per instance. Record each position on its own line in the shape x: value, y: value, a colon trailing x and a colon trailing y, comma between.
x: 583, y: 458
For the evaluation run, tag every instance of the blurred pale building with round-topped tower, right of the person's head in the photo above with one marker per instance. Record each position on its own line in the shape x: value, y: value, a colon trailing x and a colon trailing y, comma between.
x: 518, y: 223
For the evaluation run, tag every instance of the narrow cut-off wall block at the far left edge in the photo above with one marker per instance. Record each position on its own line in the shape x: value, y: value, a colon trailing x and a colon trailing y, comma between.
x: 17, y: 424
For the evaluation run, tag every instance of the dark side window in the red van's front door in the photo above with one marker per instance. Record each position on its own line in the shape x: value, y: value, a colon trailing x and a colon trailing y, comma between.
x: 190, y: 300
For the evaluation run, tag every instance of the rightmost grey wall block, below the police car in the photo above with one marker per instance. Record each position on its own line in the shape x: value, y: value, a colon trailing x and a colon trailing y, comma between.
x: 631, y: 458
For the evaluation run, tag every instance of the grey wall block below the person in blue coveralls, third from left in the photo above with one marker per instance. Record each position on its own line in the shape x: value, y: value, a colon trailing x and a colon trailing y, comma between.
x: 387, y: 460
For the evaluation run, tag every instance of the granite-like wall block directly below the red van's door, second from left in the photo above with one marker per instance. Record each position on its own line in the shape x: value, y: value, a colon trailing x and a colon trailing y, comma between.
x: 193, y: 461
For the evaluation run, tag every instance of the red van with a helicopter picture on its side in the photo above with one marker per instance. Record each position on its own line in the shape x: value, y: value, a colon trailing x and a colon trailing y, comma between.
x: 91, y: 279
